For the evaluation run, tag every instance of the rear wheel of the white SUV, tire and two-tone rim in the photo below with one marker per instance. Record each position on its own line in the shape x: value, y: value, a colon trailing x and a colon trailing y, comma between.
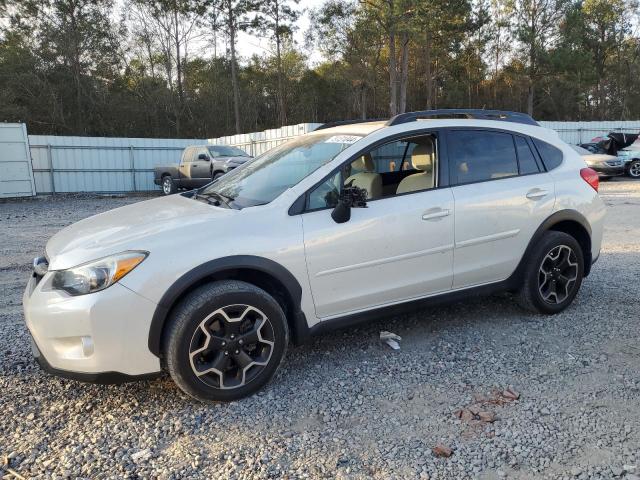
x: 537, y: 292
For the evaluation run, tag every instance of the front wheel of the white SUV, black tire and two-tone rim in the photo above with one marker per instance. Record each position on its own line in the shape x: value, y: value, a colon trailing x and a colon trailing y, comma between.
x: 230, y: 311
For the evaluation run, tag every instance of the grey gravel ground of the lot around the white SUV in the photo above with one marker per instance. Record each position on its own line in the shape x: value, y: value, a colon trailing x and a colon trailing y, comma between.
x: 347, y: 406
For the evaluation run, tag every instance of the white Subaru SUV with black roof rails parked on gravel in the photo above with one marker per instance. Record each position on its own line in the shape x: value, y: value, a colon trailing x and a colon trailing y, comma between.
x: 322, y: 231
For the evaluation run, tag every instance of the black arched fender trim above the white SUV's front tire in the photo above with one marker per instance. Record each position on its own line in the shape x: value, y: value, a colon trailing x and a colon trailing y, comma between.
x: 220, y: 265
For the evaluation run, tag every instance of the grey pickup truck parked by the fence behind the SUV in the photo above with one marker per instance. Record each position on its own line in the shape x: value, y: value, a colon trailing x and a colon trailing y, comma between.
x: 199, y: 165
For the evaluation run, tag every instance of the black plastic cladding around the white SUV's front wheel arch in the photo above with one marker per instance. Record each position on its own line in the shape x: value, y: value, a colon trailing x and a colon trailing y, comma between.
x: 238, y: 267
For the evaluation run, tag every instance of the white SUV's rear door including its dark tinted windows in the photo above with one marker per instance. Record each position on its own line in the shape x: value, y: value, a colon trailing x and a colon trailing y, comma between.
x: 502, y: 194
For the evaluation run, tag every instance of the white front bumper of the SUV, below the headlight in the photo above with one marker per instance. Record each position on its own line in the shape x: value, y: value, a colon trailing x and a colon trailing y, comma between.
x: 101, y: 337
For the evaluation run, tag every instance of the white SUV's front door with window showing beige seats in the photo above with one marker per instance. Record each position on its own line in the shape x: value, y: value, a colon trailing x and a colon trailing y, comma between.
x: 398, y: 248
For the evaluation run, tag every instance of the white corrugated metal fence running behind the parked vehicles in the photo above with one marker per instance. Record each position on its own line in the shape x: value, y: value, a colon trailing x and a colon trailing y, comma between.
x: 109, y: 165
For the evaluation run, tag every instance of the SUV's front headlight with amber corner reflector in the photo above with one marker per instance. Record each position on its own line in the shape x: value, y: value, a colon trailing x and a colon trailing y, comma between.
x: 96, y: 275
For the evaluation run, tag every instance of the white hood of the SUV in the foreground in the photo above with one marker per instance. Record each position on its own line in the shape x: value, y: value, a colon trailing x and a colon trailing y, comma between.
x: 132, y: 227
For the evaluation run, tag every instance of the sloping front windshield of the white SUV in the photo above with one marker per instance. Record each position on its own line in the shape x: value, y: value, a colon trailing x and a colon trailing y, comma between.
x: 261, y: 180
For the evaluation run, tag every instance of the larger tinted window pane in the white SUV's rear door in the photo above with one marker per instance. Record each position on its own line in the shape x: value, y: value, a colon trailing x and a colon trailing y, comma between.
x: 481, y: 155
